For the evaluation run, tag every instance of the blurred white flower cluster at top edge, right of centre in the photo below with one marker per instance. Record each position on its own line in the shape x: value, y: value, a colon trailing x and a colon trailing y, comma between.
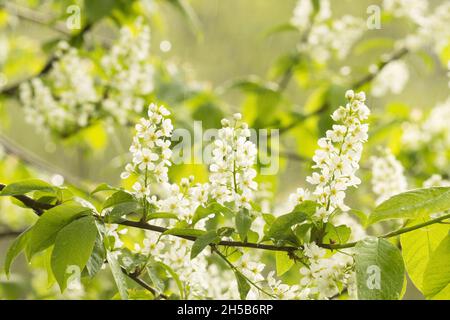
x: 326, y: 37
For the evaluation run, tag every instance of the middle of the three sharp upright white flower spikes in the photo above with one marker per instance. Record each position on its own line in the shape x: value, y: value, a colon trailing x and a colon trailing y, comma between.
x: 233, y: 158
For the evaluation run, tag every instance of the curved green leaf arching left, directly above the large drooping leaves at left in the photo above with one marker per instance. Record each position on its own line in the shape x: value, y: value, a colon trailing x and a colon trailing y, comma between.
x: 44, y: 232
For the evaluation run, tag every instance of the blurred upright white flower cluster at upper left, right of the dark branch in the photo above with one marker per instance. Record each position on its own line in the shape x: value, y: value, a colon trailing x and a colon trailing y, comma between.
x: 129, y: 72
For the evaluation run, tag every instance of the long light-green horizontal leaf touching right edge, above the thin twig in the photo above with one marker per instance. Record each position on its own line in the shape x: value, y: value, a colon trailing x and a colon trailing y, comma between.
x: 412, y: 204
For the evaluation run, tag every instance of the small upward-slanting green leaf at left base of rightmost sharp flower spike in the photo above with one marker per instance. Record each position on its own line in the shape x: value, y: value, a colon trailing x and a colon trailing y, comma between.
x: 281, y: 228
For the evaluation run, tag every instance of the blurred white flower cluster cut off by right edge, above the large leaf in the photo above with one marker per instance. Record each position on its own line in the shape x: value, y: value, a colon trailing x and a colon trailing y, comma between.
x: 432, y: 133
